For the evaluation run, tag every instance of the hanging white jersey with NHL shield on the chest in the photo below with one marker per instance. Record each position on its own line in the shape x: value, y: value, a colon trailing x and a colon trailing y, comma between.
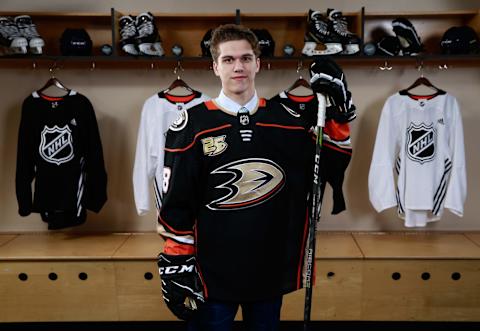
x: 421, y: 140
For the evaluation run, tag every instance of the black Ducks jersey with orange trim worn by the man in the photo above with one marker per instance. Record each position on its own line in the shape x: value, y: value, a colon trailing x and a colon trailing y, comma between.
x: 236, y: 187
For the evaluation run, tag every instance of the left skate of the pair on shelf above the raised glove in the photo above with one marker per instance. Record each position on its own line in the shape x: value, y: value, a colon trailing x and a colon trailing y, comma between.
x: 318, y: 39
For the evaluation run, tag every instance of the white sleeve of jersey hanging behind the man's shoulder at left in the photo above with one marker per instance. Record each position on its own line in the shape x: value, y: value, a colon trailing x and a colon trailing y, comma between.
x: 145, y: 159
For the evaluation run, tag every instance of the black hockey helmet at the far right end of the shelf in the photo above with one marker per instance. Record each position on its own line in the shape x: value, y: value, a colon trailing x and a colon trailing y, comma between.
x: 460, y: 40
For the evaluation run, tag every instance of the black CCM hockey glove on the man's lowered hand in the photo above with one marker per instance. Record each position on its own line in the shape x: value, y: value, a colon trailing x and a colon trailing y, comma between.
x: 181, y: 284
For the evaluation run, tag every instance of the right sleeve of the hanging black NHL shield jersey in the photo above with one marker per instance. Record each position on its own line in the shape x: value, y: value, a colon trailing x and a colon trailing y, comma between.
x: 96, y: 175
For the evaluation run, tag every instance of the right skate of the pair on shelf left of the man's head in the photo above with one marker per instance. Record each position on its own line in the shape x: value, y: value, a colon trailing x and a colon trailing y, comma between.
x: 148, y: 39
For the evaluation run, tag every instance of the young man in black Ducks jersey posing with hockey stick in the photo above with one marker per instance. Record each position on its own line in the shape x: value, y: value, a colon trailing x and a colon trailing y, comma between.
x: 234, y: 215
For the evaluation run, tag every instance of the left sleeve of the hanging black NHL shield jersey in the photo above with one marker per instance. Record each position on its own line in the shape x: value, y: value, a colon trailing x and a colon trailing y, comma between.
x: 25, y: 171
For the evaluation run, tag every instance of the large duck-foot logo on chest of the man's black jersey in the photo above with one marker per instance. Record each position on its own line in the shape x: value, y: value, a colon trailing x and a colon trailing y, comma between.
x: 253, y: 182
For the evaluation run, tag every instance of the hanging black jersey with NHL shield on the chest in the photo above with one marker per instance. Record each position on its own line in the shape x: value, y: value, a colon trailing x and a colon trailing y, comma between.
x: 59, y: 146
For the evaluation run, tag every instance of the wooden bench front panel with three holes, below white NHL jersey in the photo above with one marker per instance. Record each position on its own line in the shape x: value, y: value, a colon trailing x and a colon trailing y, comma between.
x: 440, y: 298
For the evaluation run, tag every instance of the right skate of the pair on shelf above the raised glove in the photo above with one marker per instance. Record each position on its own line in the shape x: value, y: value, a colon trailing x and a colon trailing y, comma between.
x: 339, y: 27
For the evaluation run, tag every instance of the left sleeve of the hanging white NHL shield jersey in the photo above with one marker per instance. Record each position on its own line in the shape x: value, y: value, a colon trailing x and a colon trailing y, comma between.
x: 381, y: 182
